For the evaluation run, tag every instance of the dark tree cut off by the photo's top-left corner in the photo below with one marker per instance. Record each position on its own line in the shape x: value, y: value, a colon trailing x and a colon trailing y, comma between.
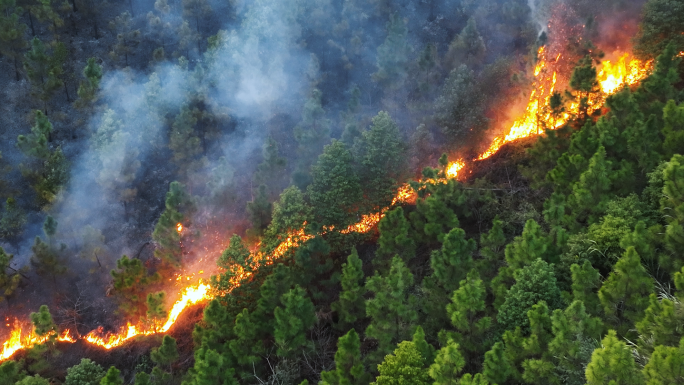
x: 12, y: 30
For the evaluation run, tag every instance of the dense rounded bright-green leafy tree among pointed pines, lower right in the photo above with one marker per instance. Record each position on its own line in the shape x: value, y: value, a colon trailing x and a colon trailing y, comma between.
x: 533, y: 283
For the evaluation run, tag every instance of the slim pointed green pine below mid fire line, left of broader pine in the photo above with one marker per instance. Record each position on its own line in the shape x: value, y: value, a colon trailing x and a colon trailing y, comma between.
x: 351, y: 306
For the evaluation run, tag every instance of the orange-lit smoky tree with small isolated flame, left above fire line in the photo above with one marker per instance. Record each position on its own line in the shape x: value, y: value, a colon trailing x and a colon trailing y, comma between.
x: 180, y: 206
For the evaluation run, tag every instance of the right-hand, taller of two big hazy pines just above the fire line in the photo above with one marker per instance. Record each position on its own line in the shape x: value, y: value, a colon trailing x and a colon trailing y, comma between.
x: 380, y: 153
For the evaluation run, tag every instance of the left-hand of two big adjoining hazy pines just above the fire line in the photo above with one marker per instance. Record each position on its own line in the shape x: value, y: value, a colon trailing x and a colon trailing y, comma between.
x: 335, y: 192
